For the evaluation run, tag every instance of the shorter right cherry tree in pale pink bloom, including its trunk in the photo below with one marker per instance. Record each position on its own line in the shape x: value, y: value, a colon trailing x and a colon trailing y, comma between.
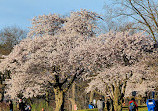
x: 118, y: 60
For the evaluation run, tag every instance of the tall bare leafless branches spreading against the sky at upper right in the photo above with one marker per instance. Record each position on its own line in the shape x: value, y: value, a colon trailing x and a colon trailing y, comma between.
x: 143, y: 13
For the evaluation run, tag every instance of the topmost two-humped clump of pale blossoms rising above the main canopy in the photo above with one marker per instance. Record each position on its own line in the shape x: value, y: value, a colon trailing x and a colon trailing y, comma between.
x: 81, y: 22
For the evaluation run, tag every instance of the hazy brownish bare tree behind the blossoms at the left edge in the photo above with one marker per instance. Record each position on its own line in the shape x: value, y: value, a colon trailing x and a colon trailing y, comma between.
x: 10, y: 36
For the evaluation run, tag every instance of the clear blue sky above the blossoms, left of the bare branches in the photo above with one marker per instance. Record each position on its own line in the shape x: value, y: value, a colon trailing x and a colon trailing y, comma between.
x: 20, y: 12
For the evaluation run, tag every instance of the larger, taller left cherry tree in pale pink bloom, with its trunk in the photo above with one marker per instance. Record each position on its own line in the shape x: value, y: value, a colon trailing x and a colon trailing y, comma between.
x: 42, y: 60
